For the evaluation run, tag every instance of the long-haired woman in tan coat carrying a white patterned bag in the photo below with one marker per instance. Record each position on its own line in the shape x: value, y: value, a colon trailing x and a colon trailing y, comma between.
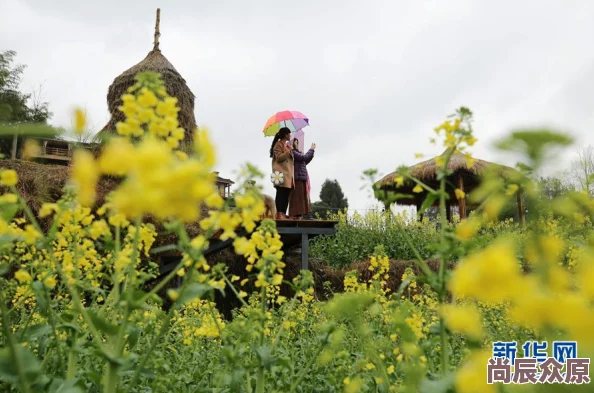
x: 282, y: 170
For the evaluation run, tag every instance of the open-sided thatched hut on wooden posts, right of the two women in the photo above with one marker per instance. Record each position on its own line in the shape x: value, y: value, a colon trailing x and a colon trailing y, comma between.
x: 463, y: 177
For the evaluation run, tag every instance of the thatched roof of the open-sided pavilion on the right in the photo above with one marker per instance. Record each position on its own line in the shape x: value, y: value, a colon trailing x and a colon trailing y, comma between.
x: 426, y: 171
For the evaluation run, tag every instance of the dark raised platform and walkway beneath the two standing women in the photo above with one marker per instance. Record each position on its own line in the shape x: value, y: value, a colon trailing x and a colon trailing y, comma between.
x: 292, y: 233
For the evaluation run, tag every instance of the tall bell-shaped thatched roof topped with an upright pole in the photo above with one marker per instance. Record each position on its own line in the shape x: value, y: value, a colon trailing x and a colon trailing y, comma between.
x: 176, y: 86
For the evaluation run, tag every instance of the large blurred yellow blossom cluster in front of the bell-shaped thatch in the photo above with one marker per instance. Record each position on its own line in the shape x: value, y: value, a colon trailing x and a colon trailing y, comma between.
x: 156, y: 182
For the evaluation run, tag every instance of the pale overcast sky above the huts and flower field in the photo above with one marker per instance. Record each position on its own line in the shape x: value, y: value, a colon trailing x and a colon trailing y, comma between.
x: 374, y: 77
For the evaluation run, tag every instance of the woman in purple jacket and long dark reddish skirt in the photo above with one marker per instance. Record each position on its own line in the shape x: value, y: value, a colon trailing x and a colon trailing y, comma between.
x: 300, y: 204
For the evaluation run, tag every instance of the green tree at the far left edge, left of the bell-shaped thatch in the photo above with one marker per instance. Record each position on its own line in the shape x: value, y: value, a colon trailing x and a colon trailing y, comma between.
x: 16, y: 107
